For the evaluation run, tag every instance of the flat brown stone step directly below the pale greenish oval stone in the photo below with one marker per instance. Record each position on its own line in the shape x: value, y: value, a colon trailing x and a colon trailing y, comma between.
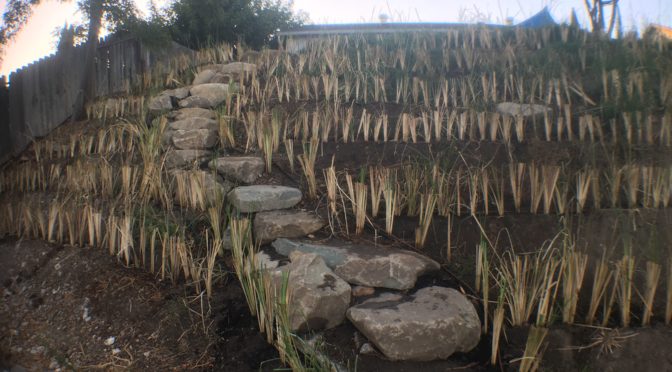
x: 271, y: 225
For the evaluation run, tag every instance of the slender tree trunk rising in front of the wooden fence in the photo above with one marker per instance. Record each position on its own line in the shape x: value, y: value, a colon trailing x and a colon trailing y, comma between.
x: 87, y: 89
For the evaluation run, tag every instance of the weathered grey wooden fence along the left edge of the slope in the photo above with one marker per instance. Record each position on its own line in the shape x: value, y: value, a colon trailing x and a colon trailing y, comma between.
x: 42, y: 95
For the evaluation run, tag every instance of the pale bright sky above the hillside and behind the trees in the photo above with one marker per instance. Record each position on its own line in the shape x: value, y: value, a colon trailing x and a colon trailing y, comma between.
x: 37, y: 38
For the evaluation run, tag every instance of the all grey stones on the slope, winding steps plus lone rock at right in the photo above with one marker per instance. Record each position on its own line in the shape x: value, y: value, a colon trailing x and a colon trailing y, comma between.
x: 432, y: 323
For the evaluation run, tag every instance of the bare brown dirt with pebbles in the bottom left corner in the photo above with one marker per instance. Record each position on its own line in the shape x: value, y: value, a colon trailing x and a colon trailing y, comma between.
x: 78, y: 309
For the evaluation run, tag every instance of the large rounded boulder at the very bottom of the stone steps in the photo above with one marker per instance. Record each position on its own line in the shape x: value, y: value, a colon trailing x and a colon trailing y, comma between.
x: 433, y: 323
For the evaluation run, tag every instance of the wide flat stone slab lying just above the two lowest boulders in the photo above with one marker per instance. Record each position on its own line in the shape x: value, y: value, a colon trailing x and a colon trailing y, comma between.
x: 367, y: 265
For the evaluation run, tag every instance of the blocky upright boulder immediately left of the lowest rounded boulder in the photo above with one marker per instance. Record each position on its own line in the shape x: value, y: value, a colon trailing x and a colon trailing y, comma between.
x: 319, y: 297
